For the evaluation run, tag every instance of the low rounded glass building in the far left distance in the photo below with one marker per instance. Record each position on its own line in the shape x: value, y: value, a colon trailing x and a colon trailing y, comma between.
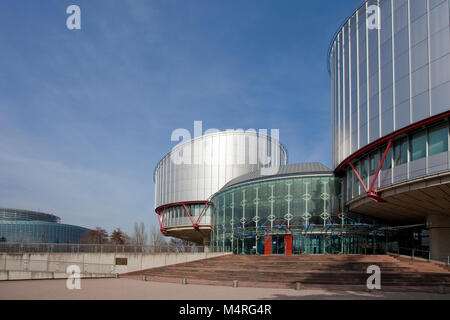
x: 23, y: 226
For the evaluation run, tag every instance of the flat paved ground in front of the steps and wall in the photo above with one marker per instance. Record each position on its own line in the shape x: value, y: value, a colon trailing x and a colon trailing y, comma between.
x: 122, y: 289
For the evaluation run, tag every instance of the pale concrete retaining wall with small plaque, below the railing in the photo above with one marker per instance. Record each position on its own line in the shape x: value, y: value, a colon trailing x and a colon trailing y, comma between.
x: 54, y: 265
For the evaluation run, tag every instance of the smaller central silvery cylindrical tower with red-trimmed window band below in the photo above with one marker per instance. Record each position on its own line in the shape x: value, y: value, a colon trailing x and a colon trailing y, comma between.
x: 193, y: 171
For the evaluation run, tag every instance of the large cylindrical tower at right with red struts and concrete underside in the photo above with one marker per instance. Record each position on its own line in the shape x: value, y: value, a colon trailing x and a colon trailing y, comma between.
x: 390, y: 89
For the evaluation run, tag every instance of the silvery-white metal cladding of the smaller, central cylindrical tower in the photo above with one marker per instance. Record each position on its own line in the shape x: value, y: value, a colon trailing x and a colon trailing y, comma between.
x: 216, y: 159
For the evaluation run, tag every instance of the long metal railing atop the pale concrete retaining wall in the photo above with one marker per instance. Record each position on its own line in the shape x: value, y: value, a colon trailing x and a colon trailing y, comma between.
x: 104, y: 248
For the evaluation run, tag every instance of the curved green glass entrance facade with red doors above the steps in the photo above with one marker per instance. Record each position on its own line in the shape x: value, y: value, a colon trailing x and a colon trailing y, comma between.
x: 291, y: 215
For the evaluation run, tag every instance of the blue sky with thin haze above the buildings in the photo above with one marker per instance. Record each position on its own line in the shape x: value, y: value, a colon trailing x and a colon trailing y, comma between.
x: 85, y: 115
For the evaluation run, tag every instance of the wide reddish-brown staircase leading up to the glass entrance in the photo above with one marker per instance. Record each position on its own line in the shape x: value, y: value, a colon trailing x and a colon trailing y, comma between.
x: 312, y: 271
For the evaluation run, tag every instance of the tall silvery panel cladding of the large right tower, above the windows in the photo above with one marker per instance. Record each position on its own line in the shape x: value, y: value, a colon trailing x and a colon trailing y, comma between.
x: 384, y: 80
